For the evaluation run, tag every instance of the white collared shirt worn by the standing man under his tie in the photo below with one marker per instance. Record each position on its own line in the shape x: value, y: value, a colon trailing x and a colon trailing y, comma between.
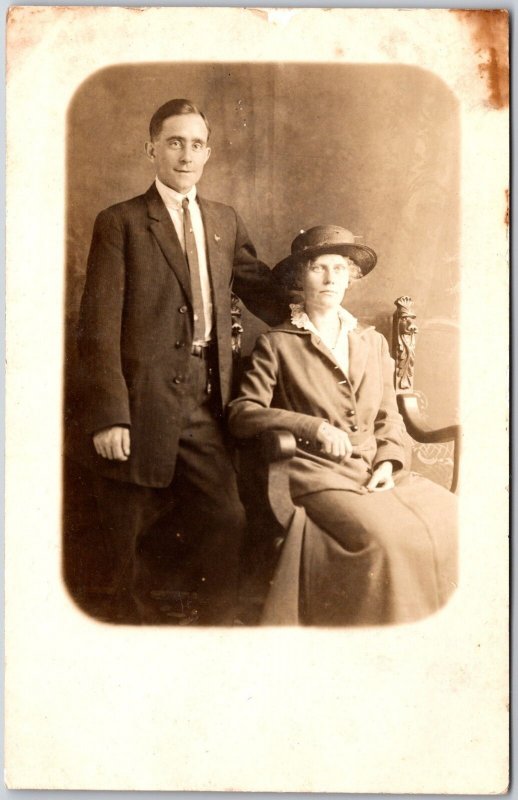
x: 173, y: 203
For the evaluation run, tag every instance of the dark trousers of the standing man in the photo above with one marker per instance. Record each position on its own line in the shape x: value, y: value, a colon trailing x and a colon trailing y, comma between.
x: 205, y: 500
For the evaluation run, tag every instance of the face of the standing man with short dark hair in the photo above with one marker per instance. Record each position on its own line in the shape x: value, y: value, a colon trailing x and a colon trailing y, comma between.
x: 180, y: 151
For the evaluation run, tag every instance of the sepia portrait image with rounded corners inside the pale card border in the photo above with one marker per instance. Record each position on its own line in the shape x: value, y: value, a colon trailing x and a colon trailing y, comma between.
x: 173, y: 512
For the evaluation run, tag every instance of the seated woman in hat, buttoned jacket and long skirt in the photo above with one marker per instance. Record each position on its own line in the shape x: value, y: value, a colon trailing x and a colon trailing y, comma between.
x: 378, y: 544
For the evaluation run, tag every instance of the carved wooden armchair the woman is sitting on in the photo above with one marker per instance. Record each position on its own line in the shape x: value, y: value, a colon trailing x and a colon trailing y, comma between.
x: 264, y: 463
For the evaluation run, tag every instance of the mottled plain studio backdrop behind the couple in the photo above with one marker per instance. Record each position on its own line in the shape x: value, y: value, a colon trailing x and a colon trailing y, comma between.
x: 371, y: 148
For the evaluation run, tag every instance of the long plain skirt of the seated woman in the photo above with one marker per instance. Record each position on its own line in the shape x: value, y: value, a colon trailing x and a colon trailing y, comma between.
x: 370, y: 558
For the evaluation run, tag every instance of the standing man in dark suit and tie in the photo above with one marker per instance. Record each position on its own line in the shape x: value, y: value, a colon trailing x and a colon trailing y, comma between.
x: 156, y: 357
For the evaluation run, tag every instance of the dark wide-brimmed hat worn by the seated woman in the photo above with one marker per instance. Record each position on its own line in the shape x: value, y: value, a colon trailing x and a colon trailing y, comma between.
x: 319, y: 240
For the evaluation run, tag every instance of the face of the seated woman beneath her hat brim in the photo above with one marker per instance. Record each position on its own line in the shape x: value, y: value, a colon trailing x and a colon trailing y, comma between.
x: 324, y: 282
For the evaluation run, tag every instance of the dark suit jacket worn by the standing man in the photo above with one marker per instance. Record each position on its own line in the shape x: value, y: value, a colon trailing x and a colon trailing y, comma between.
x: 136, y: 329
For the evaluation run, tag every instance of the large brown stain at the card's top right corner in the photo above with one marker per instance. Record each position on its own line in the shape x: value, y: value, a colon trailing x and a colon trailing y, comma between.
x: 490, y: 35
